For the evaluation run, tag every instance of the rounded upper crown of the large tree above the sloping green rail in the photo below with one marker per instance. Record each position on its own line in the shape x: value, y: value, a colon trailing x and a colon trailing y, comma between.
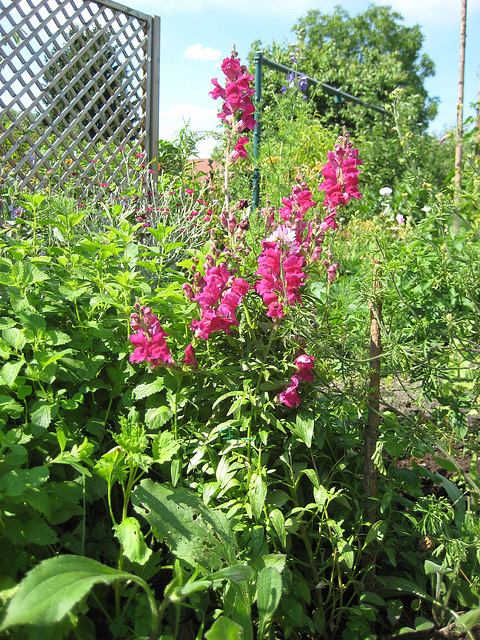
x: 369, y: 55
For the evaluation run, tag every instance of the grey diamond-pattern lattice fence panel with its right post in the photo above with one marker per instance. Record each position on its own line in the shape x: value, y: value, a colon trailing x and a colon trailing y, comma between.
x: 79, y: 83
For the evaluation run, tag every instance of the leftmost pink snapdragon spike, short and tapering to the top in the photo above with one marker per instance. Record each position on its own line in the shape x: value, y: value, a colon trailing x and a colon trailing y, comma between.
x: 149, y: 339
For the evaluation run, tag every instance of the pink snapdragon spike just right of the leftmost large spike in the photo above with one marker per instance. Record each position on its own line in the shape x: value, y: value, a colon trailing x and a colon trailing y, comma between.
x: 218, y: 298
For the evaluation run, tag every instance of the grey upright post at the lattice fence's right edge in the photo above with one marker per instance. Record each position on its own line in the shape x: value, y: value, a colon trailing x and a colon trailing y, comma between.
x: 153, y: 90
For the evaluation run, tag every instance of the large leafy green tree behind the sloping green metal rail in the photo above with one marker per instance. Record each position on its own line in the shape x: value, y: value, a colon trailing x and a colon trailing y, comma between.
x: 372, y: 56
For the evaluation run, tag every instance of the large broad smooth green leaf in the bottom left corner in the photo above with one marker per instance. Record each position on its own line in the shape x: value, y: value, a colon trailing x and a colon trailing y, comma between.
x: 50, y: 590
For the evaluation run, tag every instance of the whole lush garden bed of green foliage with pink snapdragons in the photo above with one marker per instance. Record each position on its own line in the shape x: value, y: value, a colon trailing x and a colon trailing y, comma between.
x: 232, y: 423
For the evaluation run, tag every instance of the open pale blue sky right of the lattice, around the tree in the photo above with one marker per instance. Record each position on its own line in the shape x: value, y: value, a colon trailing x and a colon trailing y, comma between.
x: 197, y: 34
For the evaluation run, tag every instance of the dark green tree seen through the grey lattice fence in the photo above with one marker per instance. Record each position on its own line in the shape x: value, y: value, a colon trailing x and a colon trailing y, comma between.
x: 85, y: 79
